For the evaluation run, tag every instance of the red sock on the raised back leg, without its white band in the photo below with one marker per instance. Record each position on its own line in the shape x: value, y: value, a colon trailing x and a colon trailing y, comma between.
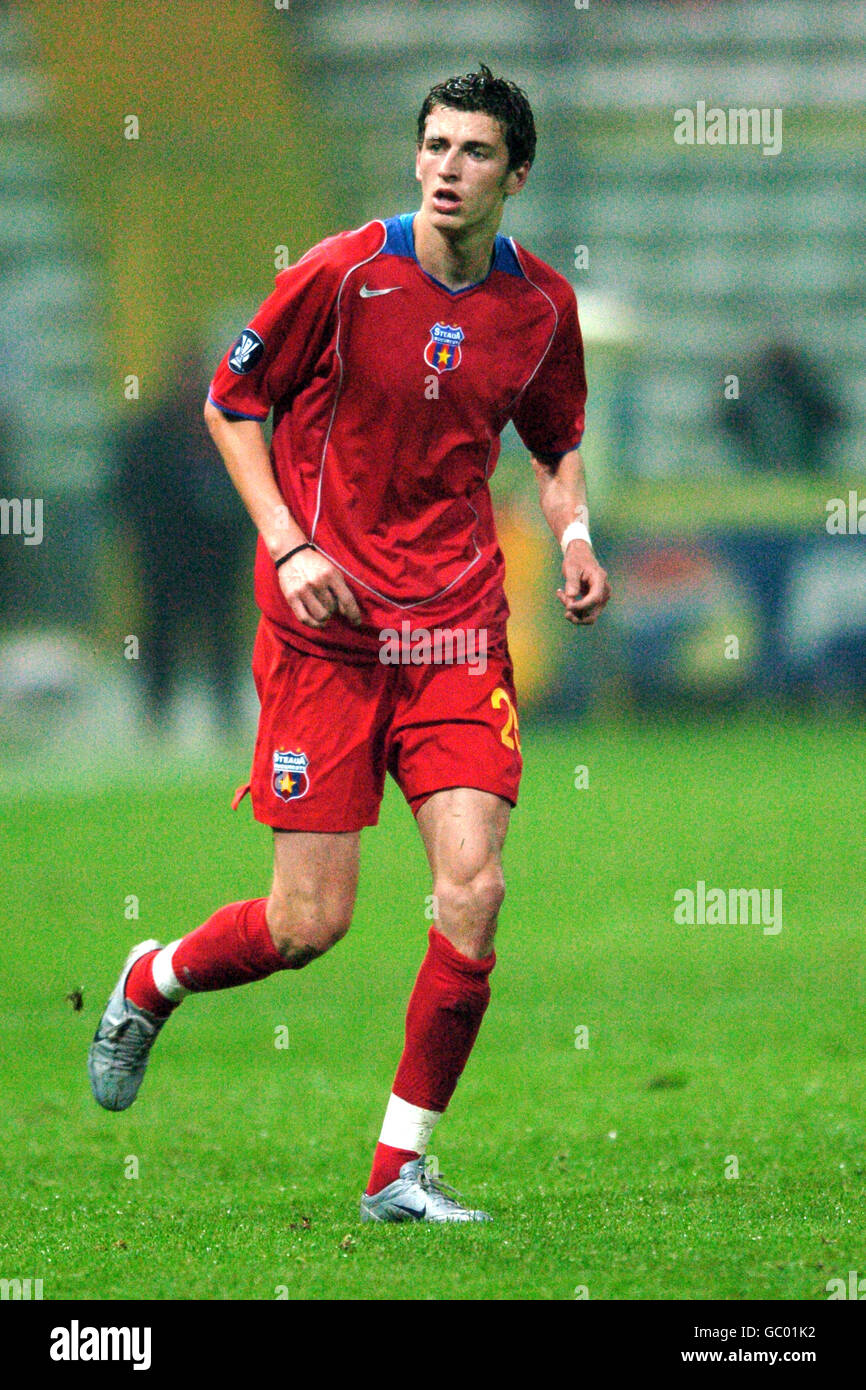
x: 233, y: 947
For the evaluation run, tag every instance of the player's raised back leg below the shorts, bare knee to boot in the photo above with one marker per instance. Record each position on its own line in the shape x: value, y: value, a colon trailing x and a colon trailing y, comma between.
x: 308, y: 911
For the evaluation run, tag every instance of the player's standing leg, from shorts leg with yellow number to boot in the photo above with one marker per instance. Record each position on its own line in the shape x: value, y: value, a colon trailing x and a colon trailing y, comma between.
x: 452, y: 728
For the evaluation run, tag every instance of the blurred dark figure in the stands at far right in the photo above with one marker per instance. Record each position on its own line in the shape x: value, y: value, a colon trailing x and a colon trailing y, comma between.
x: 785, y: 414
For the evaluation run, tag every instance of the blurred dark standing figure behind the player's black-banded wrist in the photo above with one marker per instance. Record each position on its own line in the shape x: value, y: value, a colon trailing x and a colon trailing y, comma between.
x: 193, y: 537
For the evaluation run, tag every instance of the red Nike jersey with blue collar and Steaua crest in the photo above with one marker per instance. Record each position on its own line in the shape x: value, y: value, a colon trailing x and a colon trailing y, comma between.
x: 390, y: 393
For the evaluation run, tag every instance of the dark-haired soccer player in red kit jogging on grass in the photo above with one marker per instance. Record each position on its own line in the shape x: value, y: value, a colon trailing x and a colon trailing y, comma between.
x: 393, y: 357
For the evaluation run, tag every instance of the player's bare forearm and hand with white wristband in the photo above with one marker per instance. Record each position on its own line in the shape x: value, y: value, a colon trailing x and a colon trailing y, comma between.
x: 562, y: 491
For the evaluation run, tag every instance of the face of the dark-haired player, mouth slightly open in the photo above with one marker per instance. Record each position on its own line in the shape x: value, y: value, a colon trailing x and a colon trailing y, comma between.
x: 464, y: 170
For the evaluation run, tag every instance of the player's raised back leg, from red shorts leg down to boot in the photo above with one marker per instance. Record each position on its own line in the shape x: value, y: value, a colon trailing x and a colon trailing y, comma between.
x: 318, y: 779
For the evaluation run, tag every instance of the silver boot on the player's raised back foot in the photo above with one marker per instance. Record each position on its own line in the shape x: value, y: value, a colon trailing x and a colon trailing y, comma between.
x: 122, y: 1046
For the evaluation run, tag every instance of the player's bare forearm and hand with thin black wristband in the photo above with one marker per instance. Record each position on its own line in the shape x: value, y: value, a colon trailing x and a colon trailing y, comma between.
x: 312, y: 586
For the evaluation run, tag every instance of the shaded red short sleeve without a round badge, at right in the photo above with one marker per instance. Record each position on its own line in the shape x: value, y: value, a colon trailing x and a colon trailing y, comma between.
x: 550, y: 415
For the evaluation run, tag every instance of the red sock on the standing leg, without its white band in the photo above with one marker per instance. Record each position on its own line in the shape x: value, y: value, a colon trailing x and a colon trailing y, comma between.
x: 446, y: 1011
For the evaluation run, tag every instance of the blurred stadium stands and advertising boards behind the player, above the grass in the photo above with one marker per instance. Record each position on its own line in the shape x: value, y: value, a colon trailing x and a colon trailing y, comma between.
x: 265, y: 129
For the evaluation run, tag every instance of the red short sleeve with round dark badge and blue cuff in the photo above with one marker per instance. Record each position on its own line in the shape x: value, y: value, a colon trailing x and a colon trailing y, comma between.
x: 276, y: 355
